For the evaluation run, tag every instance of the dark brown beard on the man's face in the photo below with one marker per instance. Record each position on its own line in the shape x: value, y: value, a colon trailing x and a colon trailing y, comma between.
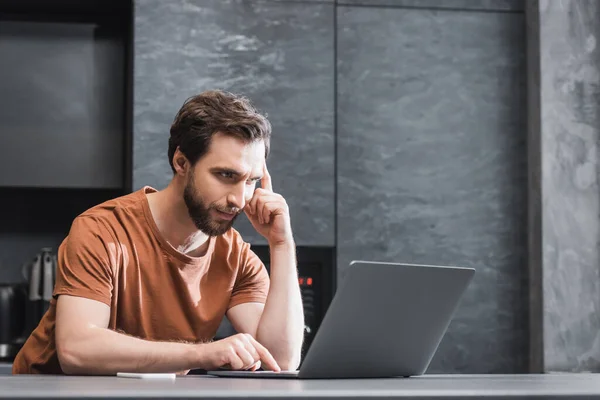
x: 200, y: 213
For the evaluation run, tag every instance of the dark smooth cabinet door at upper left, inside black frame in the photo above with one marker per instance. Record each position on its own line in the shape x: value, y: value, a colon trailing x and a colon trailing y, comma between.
x: 62, y: 107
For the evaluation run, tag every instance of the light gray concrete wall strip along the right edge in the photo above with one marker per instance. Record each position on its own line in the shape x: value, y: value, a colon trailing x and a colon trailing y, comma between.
x: 564, y: 131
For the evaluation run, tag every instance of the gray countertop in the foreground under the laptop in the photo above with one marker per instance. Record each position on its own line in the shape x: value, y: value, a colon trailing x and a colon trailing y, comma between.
x: 550, y: 386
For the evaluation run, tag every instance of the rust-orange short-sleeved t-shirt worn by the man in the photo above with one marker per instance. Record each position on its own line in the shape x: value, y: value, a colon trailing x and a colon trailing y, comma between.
x: 115, y: 254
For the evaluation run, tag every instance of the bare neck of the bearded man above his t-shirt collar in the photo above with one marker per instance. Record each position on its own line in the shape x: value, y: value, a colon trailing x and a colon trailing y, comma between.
x: 174, y: 223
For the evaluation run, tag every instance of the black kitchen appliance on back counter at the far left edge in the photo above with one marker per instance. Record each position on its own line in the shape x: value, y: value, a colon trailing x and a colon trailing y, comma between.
x: 12, y: 318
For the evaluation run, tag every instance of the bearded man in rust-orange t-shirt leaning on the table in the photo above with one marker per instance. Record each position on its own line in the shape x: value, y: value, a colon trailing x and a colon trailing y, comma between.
x: 144, y: 280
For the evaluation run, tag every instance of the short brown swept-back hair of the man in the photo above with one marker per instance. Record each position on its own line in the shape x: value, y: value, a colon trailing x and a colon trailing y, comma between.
x: 214, y: 111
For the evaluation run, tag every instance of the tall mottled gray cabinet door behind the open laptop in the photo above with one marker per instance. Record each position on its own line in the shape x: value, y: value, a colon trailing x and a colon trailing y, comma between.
x: 432, y: 163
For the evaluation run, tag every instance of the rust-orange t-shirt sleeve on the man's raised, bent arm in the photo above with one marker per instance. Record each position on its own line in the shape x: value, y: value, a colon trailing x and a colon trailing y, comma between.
x: 252, y: 282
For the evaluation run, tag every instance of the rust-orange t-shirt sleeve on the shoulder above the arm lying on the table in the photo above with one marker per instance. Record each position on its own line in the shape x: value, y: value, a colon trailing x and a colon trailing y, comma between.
x: 83, y: 267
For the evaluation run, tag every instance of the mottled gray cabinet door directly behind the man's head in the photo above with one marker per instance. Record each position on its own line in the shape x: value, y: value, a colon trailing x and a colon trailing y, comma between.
x: 280, y: 55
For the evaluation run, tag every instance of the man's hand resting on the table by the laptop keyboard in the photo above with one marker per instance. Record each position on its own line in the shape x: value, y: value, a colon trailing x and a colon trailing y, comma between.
x: 237, y: 352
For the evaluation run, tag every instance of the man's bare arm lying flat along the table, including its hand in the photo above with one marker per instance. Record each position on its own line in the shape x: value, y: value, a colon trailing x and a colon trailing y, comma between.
x: 86, y: 346
